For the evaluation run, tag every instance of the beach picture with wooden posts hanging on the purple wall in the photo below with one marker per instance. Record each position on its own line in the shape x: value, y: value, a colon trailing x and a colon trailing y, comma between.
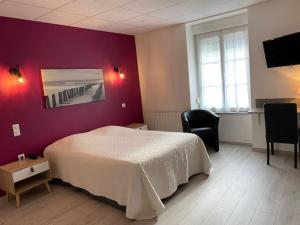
x: 64, y: 87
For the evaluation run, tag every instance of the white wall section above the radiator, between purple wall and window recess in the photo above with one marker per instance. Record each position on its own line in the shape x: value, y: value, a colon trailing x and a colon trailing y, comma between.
x: 163, y: 69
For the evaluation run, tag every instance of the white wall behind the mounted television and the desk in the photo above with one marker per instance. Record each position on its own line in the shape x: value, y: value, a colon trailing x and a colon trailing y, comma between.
x: 267, y: 21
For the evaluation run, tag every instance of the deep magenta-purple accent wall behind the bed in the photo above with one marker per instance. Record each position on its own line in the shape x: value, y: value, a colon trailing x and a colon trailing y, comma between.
x: 34, y: 46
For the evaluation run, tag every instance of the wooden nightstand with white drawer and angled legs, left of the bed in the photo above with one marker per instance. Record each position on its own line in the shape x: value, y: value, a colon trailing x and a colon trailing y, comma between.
x: 21, y: 176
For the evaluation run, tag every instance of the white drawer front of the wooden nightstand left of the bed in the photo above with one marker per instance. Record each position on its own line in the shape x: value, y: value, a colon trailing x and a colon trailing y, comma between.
x: 30, y: 171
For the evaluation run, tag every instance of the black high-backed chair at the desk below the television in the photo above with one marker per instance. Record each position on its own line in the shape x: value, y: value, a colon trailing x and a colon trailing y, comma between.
x: 281, y: 126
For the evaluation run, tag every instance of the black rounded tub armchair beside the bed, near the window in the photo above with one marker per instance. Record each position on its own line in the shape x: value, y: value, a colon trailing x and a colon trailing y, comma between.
x: 203, y: 123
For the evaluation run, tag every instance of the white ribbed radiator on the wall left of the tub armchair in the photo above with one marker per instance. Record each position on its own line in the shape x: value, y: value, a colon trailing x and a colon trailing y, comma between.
x: 163, y: 120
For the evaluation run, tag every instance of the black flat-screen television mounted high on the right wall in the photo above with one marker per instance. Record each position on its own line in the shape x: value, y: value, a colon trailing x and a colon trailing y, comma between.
x: 283, y: 51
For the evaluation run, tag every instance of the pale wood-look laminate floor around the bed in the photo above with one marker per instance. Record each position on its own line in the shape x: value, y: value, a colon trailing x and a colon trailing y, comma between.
x: 241, y: 190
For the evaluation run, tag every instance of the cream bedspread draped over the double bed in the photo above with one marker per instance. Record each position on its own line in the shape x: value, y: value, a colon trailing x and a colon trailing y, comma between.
x: 132, y: 167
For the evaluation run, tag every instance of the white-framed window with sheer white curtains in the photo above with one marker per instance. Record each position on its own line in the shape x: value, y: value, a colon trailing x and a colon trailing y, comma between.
x: 223, y: 67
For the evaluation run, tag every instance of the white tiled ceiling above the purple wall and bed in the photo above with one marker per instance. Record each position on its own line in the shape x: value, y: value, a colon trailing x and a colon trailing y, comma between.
x: 120, y: 16
